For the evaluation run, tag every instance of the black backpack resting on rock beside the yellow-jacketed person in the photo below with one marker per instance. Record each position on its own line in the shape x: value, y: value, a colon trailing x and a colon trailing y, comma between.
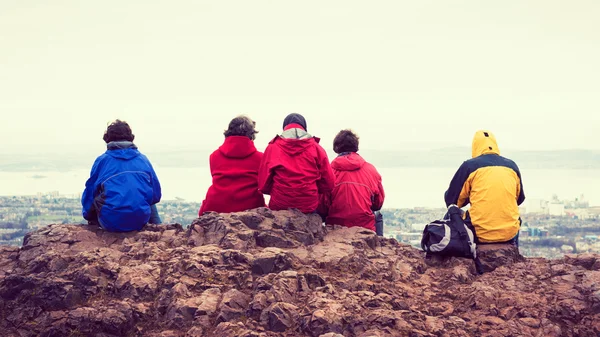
x: 452, y: 236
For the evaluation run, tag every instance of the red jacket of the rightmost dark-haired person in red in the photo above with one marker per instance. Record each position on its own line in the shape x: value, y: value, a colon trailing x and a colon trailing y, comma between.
x: 357, y: 193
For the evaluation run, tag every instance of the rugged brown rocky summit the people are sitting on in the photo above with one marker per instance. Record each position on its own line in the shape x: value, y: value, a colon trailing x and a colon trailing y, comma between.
x: 264, y: 273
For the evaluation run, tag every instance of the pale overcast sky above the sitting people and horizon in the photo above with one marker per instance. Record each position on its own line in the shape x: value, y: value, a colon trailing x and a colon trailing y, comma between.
x: 401, y: 73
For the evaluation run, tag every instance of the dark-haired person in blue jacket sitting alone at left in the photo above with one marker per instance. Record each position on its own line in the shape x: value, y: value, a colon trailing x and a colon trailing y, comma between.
x: 123, y: 189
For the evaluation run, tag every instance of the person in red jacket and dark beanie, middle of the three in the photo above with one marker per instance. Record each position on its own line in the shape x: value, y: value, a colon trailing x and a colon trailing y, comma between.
x: 295, y: 168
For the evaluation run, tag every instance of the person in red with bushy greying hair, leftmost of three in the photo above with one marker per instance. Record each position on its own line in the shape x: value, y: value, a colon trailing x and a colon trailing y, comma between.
x: 234, y: 169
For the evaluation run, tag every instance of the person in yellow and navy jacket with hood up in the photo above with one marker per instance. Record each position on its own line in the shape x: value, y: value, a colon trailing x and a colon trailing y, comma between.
x: 492, y: 185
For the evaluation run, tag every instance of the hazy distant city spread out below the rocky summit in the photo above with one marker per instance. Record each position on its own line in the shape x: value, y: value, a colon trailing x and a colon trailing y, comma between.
x: 551, y: 228
